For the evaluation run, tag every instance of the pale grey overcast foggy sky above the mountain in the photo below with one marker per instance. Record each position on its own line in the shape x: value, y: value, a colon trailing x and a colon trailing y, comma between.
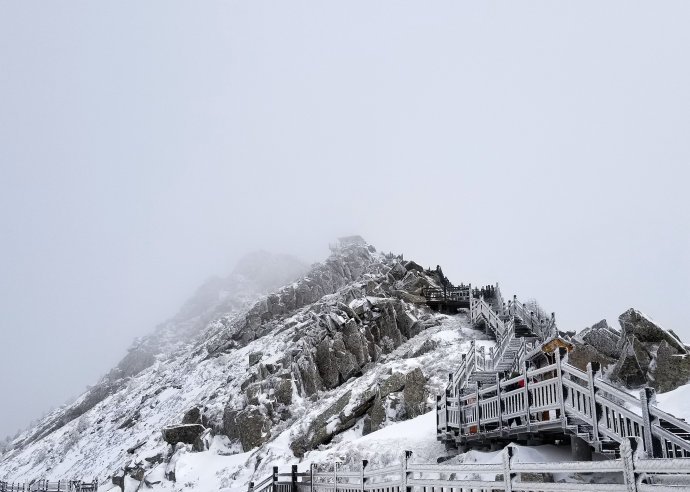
x: 145, y: 146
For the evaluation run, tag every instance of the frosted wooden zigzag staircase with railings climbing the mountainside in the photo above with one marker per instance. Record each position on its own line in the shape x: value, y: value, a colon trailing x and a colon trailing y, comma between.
x: 485, y: 401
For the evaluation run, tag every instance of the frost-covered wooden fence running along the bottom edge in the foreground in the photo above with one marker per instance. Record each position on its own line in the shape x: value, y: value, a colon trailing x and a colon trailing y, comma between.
x: 629, y: 473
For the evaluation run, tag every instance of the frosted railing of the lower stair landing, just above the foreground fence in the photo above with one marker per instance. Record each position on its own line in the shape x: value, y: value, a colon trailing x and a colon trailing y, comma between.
x: 553, y: 397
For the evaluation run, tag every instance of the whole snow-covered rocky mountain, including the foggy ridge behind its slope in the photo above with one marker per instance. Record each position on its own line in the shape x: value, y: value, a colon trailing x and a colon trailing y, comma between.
x: 273, y: 365
